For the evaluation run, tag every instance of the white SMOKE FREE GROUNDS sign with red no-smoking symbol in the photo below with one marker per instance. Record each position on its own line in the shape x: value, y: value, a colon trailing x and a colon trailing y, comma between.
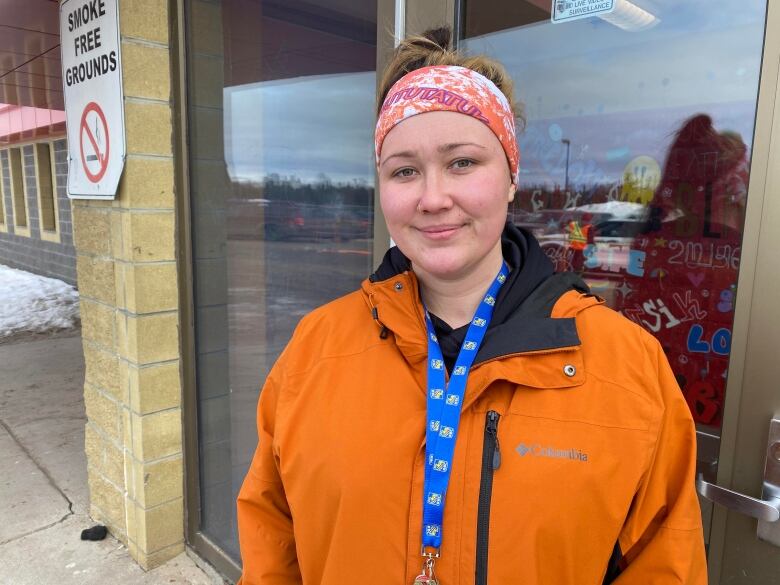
x: 94, y: 112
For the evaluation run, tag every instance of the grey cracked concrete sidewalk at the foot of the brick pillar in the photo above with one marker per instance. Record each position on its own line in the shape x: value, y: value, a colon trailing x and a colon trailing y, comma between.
x: 43, y: 478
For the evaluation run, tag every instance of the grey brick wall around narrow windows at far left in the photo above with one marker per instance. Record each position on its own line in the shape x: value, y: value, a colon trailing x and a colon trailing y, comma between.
x: 32, y: 253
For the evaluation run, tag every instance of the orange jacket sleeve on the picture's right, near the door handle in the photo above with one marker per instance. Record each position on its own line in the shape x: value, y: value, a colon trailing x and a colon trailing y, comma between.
x: 662, y: 540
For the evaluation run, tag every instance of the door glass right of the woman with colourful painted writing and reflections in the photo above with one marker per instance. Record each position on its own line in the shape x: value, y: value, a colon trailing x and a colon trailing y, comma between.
x: 635, y: 162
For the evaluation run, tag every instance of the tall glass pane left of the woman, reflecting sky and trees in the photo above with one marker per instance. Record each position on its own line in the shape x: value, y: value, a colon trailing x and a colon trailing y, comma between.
x: 281, y: 100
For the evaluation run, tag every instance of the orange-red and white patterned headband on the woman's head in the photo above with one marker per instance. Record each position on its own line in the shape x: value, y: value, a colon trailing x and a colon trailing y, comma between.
x: 450, y: 88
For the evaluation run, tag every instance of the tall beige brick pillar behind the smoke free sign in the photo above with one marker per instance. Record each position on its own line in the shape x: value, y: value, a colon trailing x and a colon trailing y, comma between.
x: 127, y: 278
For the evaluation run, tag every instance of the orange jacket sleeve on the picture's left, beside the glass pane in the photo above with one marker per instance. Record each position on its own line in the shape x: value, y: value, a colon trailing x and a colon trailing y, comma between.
x: 265, y: 526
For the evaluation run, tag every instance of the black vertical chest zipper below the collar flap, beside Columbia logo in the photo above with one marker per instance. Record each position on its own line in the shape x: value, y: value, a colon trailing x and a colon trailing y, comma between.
x: 491, y: 460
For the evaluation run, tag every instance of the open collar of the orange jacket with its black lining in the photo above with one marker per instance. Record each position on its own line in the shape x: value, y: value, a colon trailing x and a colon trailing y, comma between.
x: 541, y: 324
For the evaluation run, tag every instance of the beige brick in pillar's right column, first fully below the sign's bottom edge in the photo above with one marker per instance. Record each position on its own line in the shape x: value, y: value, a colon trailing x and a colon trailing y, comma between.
x: 149, y: 236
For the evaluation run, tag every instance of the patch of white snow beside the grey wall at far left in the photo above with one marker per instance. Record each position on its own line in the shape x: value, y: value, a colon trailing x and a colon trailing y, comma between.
x: 36, y: 304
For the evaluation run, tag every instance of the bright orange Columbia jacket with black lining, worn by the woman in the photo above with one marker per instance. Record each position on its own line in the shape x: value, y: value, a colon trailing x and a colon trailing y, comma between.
x: 596, y: 452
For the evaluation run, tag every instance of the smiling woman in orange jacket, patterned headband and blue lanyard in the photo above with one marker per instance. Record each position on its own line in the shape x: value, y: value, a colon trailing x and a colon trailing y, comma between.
x: 557, y: 447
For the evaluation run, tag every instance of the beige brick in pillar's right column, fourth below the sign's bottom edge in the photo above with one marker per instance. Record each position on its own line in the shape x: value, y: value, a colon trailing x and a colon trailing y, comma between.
x: 154, y: 388
